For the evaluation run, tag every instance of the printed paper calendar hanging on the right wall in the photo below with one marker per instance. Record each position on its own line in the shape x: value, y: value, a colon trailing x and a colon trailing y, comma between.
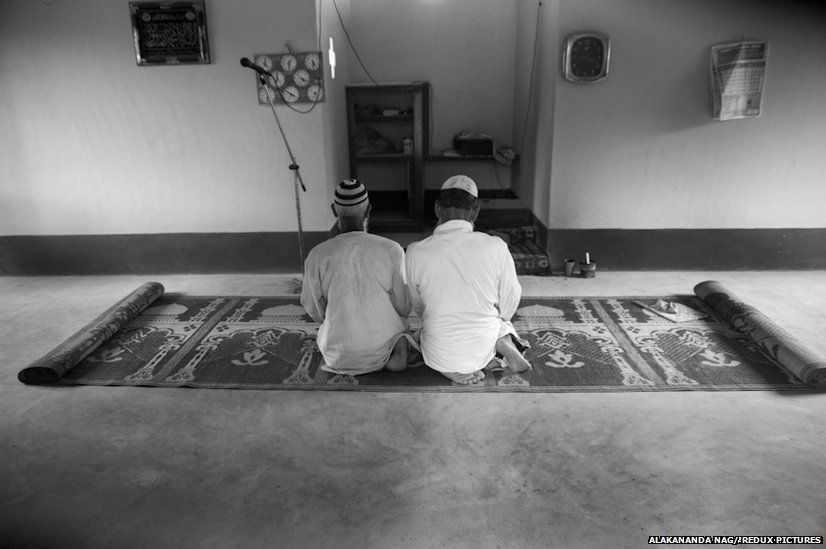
x: 738, y: 72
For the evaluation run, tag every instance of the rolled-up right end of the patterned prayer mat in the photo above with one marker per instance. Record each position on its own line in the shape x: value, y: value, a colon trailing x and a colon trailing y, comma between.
x: 776, y: 341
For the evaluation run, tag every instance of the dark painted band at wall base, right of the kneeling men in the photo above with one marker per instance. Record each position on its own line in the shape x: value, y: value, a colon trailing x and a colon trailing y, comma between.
x: 713, y: 249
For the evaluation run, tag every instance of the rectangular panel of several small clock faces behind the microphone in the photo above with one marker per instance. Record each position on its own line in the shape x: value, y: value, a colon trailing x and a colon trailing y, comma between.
x: 296, y: 77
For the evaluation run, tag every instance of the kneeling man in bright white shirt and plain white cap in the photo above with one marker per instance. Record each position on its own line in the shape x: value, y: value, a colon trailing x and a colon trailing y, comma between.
x: 464, y: 286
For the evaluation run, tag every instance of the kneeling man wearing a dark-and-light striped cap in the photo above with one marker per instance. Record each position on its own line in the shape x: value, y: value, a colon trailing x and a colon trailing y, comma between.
x: 354, y: 285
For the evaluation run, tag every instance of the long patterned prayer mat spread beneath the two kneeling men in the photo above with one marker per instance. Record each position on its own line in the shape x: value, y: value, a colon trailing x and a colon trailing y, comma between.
x: 580, y: 344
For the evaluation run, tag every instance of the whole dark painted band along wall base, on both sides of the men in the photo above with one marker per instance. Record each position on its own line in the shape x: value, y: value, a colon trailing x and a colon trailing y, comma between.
x: 612, y: 249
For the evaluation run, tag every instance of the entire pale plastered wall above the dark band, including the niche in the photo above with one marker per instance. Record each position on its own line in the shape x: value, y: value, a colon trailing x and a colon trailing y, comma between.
x: 93, y: 144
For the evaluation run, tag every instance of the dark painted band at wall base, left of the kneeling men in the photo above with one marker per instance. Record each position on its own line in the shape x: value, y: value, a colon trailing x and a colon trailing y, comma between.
x: 154, y: 253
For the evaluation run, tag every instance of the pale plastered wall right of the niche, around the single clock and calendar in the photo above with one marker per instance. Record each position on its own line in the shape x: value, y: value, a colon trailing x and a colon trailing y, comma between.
x: 640, y: 150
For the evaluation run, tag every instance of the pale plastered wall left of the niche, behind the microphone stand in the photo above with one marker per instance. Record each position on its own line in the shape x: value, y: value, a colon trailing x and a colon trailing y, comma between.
x: 93, y: 144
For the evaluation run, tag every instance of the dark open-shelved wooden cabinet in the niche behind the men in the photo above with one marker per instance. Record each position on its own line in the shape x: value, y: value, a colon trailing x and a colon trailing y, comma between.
x: 388, y: 135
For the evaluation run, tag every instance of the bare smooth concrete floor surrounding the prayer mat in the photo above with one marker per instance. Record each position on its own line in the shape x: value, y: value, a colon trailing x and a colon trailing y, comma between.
x: 121, y: 467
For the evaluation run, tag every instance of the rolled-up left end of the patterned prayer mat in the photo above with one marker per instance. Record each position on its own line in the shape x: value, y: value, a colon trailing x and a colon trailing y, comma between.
x: 50, y: 367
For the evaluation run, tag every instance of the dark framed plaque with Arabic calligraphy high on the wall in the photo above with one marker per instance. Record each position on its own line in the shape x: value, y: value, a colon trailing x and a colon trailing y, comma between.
x: 168, y: 33
